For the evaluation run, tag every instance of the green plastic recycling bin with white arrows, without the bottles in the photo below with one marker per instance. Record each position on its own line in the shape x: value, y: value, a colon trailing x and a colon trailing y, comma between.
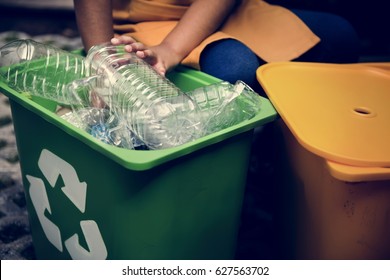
x: 90, y: 200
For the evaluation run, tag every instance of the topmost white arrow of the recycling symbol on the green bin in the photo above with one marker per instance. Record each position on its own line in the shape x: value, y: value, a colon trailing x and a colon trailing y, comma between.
x: 52, y: 167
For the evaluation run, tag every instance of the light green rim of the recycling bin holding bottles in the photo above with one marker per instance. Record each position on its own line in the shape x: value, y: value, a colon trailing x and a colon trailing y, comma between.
x: 138, y: 159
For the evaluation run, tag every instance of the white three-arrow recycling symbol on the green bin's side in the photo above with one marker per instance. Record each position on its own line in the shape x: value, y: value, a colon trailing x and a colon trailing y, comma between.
x: 52, y: 167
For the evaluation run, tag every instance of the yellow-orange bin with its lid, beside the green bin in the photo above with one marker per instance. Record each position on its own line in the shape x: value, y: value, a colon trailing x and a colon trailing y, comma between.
x: 335, y: 131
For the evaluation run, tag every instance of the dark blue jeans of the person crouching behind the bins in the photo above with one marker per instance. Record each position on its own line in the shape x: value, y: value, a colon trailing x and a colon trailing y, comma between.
x: 231, y: 60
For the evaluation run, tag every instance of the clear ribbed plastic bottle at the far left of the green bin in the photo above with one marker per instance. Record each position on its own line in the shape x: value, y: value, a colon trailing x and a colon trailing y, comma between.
x: 40, y: 69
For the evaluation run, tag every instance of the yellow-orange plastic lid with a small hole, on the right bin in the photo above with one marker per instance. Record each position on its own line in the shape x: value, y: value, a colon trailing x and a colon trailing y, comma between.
x: 340, y: 112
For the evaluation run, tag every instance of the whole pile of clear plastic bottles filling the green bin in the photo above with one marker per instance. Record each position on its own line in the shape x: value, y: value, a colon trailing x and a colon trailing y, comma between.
x: 120, y: 99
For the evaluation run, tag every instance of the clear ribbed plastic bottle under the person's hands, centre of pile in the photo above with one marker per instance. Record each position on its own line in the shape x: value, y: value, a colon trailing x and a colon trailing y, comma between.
x: 154, y: 109
